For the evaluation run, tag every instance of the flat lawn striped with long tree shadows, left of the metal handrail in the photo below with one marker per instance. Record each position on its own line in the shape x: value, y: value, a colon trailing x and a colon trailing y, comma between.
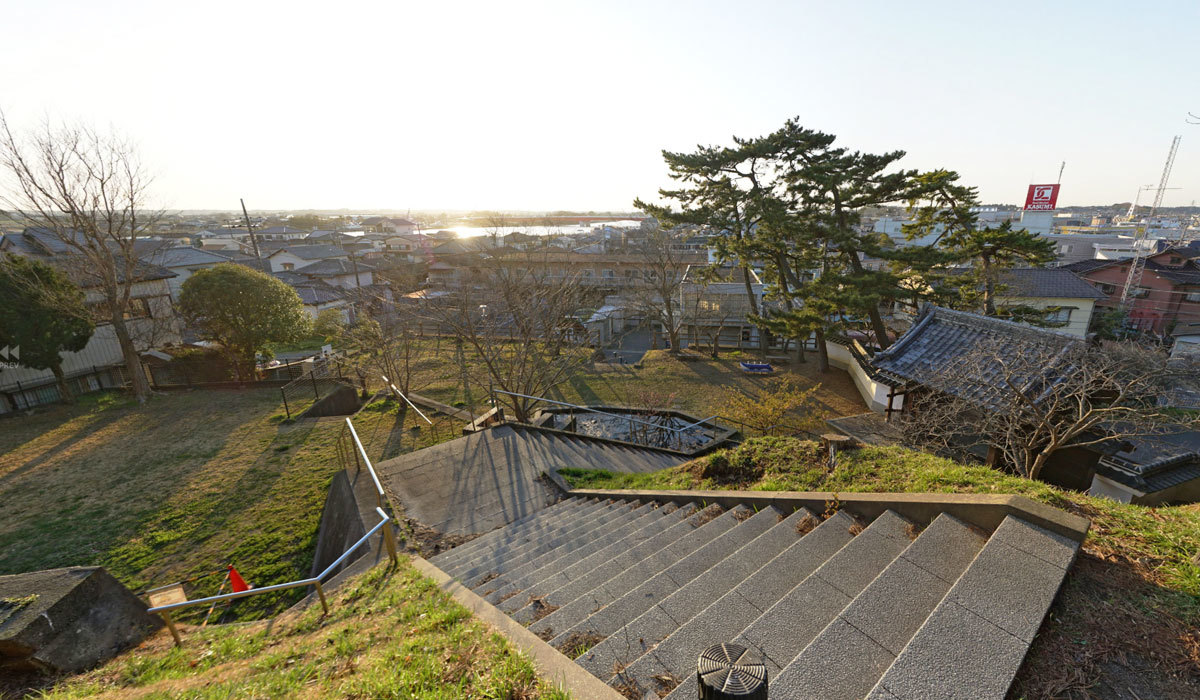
x: 179, y: 487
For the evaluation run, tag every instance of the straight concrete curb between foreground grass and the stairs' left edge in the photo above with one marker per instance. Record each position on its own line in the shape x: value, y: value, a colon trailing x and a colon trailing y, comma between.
x: 551, y: 665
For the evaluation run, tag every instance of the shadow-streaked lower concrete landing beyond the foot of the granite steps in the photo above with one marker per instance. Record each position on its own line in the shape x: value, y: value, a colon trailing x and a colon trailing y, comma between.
x: 495, y: 477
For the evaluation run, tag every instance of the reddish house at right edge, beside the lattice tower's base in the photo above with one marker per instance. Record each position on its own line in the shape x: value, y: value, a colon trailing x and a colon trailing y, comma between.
x: 1169, y: 294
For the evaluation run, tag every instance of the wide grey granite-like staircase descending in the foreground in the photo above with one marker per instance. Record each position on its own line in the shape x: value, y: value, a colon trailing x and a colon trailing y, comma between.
x: 837, y: 607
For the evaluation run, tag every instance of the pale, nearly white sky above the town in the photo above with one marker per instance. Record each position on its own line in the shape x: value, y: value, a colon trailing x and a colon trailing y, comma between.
x: 560, y: 105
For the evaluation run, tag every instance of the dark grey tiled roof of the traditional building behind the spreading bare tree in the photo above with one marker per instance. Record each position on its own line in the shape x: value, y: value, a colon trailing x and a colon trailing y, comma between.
x: 941, y: 338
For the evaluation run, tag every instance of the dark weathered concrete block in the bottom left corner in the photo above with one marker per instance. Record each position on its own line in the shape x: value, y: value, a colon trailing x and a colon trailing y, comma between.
x: 68, y: 620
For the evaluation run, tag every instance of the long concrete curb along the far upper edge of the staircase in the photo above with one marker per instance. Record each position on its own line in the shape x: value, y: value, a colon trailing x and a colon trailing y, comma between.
x: 985, y: 511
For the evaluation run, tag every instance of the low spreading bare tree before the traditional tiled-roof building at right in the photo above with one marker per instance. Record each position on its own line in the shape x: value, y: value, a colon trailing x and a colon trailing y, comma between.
x: 1029, y: 406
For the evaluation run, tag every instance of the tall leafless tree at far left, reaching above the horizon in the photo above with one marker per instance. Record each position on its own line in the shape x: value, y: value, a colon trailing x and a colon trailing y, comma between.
x: 89, y: 192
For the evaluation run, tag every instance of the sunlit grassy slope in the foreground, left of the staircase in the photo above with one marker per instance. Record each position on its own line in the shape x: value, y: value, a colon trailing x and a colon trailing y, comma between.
x: 392, y: 633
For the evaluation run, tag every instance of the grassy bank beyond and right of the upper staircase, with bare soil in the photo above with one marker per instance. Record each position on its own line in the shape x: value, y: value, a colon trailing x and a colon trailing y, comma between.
x: 1127, y: 618
